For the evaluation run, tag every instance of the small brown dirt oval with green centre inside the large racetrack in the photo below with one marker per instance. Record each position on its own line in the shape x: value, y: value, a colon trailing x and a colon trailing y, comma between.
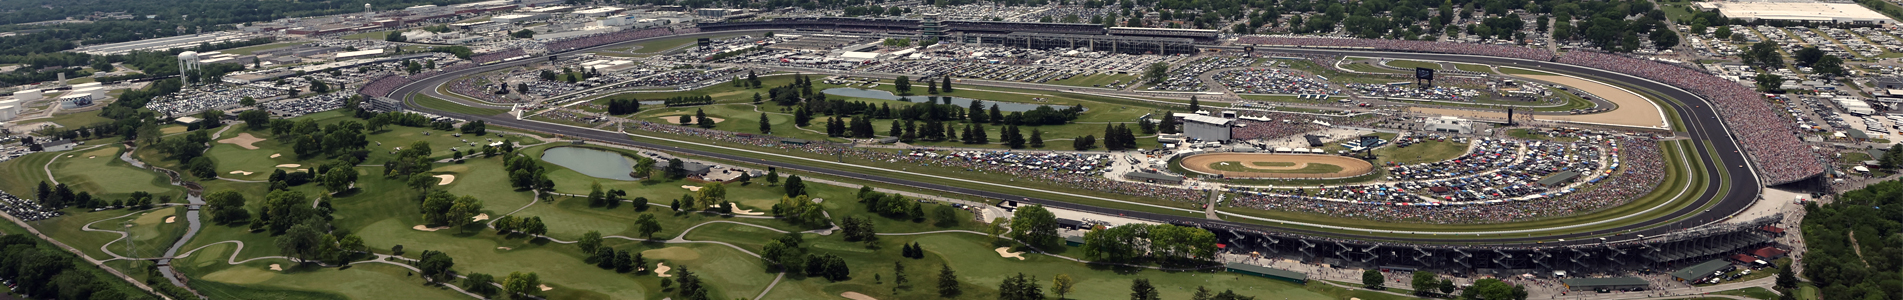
x: 1268, y: 166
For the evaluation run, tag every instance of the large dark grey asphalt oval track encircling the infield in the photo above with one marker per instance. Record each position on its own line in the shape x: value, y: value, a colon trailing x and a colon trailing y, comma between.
x: 1702, y: 126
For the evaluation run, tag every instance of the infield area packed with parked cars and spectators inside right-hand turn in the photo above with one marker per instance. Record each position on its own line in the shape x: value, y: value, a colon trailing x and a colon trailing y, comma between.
x: 1638, y: 168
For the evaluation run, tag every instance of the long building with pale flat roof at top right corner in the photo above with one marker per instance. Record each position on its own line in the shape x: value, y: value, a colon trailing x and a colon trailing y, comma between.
x: 1815, y: 12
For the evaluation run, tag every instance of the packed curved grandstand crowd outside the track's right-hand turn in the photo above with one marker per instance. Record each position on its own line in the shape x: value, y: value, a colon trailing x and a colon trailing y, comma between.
x: 1765, y: 134
